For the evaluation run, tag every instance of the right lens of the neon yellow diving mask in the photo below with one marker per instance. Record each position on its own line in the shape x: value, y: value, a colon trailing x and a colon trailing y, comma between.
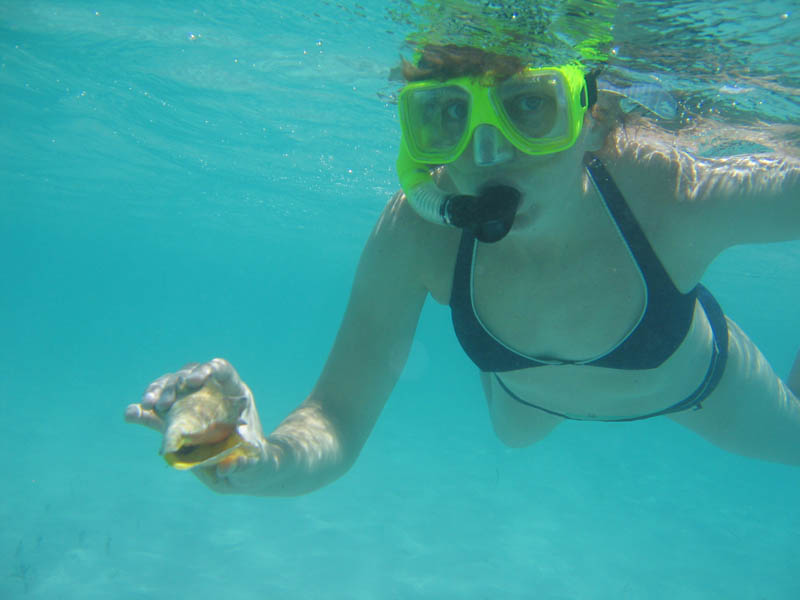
x: 535, y: 106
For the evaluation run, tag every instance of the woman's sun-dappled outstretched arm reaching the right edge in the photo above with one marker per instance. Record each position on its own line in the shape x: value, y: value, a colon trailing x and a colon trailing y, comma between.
x: 743, y: 198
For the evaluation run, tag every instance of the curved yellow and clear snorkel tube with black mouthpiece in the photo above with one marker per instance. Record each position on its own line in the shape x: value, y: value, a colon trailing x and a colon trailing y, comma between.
x: 488, y: 216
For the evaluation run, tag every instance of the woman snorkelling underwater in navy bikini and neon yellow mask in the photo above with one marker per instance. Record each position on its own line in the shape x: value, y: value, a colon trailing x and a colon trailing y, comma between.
x: 570, y: 252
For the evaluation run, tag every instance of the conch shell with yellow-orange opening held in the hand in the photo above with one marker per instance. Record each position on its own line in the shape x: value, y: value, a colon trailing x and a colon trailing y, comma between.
x: 201, y: 429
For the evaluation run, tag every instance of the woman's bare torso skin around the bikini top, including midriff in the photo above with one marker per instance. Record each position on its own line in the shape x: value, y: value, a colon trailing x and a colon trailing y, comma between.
x: 575, y: 295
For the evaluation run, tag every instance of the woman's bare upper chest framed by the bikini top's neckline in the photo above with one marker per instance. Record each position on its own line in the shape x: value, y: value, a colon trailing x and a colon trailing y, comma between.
x: 569, y: 301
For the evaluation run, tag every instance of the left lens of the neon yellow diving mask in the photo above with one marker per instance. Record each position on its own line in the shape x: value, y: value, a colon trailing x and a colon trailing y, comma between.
x: 437, y: 118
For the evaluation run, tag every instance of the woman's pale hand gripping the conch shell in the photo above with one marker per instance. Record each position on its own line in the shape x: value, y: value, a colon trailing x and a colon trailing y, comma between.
x: 165, y: 391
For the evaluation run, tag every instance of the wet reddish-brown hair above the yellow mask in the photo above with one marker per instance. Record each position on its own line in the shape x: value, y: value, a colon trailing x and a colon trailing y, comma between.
x: 450, y: 61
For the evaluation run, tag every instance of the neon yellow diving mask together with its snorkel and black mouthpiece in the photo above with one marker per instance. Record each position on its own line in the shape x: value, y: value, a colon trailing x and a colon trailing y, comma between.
x: 539, y: 111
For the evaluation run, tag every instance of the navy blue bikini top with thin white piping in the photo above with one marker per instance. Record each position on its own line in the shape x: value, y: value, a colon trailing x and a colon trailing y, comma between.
x: 663, y: 326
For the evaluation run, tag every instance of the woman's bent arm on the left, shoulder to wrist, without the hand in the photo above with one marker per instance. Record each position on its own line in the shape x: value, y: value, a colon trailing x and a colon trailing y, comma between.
x: 321, y: 439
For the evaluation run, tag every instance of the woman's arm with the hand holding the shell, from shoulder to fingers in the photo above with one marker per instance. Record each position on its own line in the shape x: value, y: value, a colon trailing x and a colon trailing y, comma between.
x: 321, y: 438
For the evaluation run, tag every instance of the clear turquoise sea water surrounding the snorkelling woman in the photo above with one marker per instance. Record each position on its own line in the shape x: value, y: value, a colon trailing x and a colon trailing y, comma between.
x: 186, y: 180
